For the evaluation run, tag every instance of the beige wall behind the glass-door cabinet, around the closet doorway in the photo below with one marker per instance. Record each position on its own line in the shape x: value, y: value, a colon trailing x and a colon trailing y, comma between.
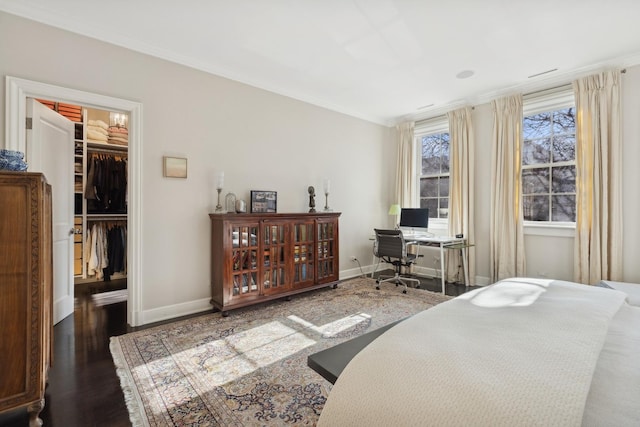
x: 259, y: 139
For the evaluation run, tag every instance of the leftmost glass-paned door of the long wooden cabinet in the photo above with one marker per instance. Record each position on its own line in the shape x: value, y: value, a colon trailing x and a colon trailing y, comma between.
x: 244, y: 260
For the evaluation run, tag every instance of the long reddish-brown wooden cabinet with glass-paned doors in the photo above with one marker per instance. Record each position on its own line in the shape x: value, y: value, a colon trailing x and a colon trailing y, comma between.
x: 258, y: 257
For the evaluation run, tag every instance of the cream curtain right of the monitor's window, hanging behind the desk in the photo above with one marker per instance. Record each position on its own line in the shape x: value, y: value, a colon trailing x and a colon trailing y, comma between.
x: 461, y: 194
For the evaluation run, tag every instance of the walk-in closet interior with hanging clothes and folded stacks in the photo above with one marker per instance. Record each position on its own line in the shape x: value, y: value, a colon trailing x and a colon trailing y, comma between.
x: 100, y: 209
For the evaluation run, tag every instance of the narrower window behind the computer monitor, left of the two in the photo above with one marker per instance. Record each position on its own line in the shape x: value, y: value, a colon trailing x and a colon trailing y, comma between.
x: 433, y: 146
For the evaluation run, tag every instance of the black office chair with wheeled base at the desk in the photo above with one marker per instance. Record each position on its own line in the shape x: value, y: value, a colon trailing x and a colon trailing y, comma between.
x: 391, y: 248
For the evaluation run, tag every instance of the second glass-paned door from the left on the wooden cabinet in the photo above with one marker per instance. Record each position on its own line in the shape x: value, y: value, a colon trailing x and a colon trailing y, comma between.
x: 274, y: 272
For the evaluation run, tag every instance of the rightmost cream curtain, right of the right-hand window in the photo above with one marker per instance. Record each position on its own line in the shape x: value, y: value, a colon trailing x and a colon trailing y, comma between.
x: 598, y: 241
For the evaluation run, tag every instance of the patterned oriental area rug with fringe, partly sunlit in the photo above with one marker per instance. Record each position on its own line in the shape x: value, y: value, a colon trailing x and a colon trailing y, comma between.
x: 250, y: 368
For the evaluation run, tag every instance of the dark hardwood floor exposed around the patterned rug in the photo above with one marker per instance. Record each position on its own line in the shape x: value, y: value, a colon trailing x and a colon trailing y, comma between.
x: 84, y: 389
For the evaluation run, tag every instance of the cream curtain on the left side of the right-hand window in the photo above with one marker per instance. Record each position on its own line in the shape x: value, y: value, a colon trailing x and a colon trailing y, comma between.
x: 506, y: 229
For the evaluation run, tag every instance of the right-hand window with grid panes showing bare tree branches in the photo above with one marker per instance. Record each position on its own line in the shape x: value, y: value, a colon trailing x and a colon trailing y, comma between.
x: 548, y: 164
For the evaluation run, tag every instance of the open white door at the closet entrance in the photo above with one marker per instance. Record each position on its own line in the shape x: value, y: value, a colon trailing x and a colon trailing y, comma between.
x: 50, y: 149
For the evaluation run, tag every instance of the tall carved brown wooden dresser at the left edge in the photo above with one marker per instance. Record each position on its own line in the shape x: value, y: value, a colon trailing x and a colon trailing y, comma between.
x: 26, y: 265
